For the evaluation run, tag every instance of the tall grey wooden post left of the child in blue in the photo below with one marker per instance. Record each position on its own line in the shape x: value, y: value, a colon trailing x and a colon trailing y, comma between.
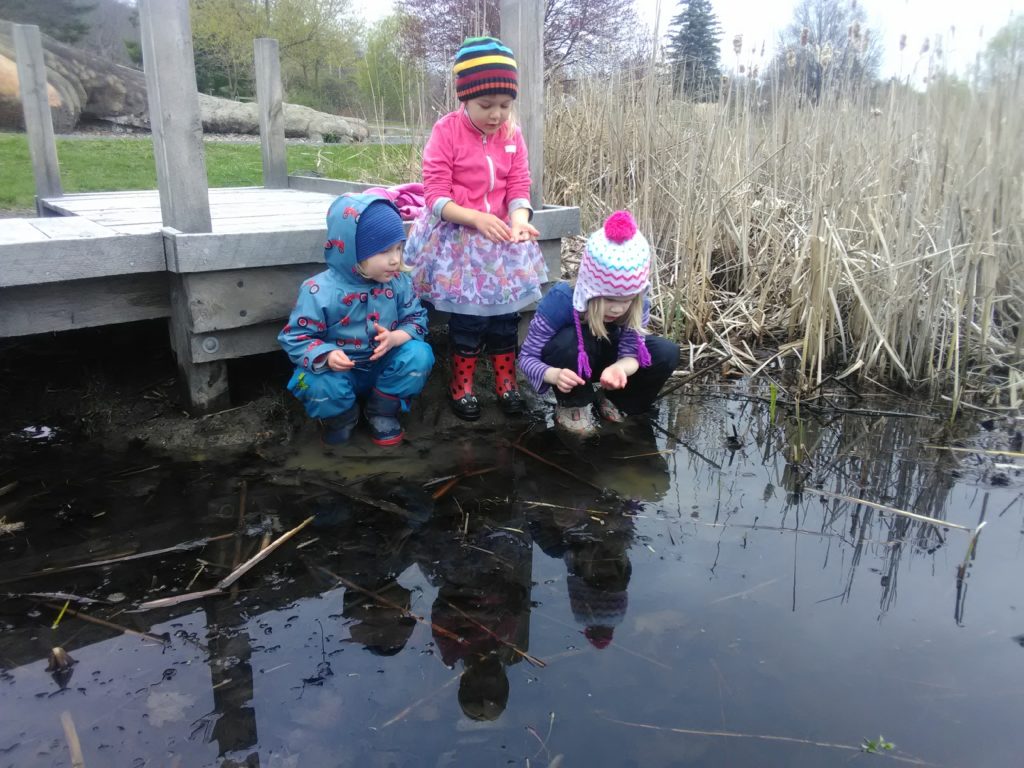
x: 185, y: 198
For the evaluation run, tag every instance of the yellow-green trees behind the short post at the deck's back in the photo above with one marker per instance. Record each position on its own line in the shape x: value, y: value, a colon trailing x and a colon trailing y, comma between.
x: 318, y: 41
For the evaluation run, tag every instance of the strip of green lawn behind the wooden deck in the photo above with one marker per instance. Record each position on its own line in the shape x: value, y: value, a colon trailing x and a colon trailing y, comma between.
x: 102, y: 165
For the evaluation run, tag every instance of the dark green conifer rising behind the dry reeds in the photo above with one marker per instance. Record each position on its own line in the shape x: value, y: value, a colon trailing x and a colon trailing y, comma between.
x: 694, y: 51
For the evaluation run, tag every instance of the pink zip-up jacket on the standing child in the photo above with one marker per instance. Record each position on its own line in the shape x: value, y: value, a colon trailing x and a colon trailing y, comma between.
x: 486, y: 174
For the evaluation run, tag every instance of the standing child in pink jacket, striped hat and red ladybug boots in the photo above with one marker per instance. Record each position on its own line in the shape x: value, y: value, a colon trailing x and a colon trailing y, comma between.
x: 474, y: 252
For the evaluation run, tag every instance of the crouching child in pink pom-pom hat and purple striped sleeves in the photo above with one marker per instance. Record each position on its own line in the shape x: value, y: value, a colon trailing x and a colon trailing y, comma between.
x: 610, y: 348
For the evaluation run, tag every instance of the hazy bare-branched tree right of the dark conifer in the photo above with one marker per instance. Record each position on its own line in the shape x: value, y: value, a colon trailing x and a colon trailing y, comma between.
x: 829, y: 47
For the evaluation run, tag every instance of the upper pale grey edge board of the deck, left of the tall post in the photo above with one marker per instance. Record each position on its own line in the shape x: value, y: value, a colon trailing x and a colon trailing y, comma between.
x: 69, y: 258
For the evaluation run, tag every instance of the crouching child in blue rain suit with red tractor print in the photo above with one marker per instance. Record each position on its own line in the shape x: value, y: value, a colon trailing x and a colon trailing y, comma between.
x: 357, y: 329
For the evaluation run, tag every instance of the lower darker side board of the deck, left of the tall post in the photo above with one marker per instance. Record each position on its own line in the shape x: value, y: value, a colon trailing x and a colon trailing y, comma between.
x: 64, y: 307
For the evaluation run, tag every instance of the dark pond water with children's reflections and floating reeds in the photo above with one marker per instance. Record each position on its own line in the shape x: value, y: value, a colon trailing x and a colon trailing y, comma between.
x: 702, y: 589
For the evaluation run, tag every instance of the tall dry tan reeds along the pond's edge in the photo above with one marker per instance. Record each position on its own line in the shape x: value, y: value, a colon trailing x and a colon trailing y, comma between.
x: 879, y: 235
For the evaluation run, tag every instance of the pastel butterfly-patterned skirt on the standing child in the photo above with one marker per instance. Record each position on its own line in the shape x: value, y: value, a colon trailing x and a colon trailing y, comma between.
x: 458, y: 270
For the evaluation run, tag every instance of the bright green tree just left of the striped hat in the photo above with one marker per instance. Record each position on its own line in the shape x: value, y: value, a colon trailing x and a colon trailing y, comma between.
x: 389, y: 80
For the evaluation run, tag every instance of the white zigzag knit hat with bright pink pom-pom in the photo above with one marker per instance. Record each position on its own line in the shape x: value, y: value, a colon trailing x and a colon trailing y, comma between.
x: 616, y: 262
